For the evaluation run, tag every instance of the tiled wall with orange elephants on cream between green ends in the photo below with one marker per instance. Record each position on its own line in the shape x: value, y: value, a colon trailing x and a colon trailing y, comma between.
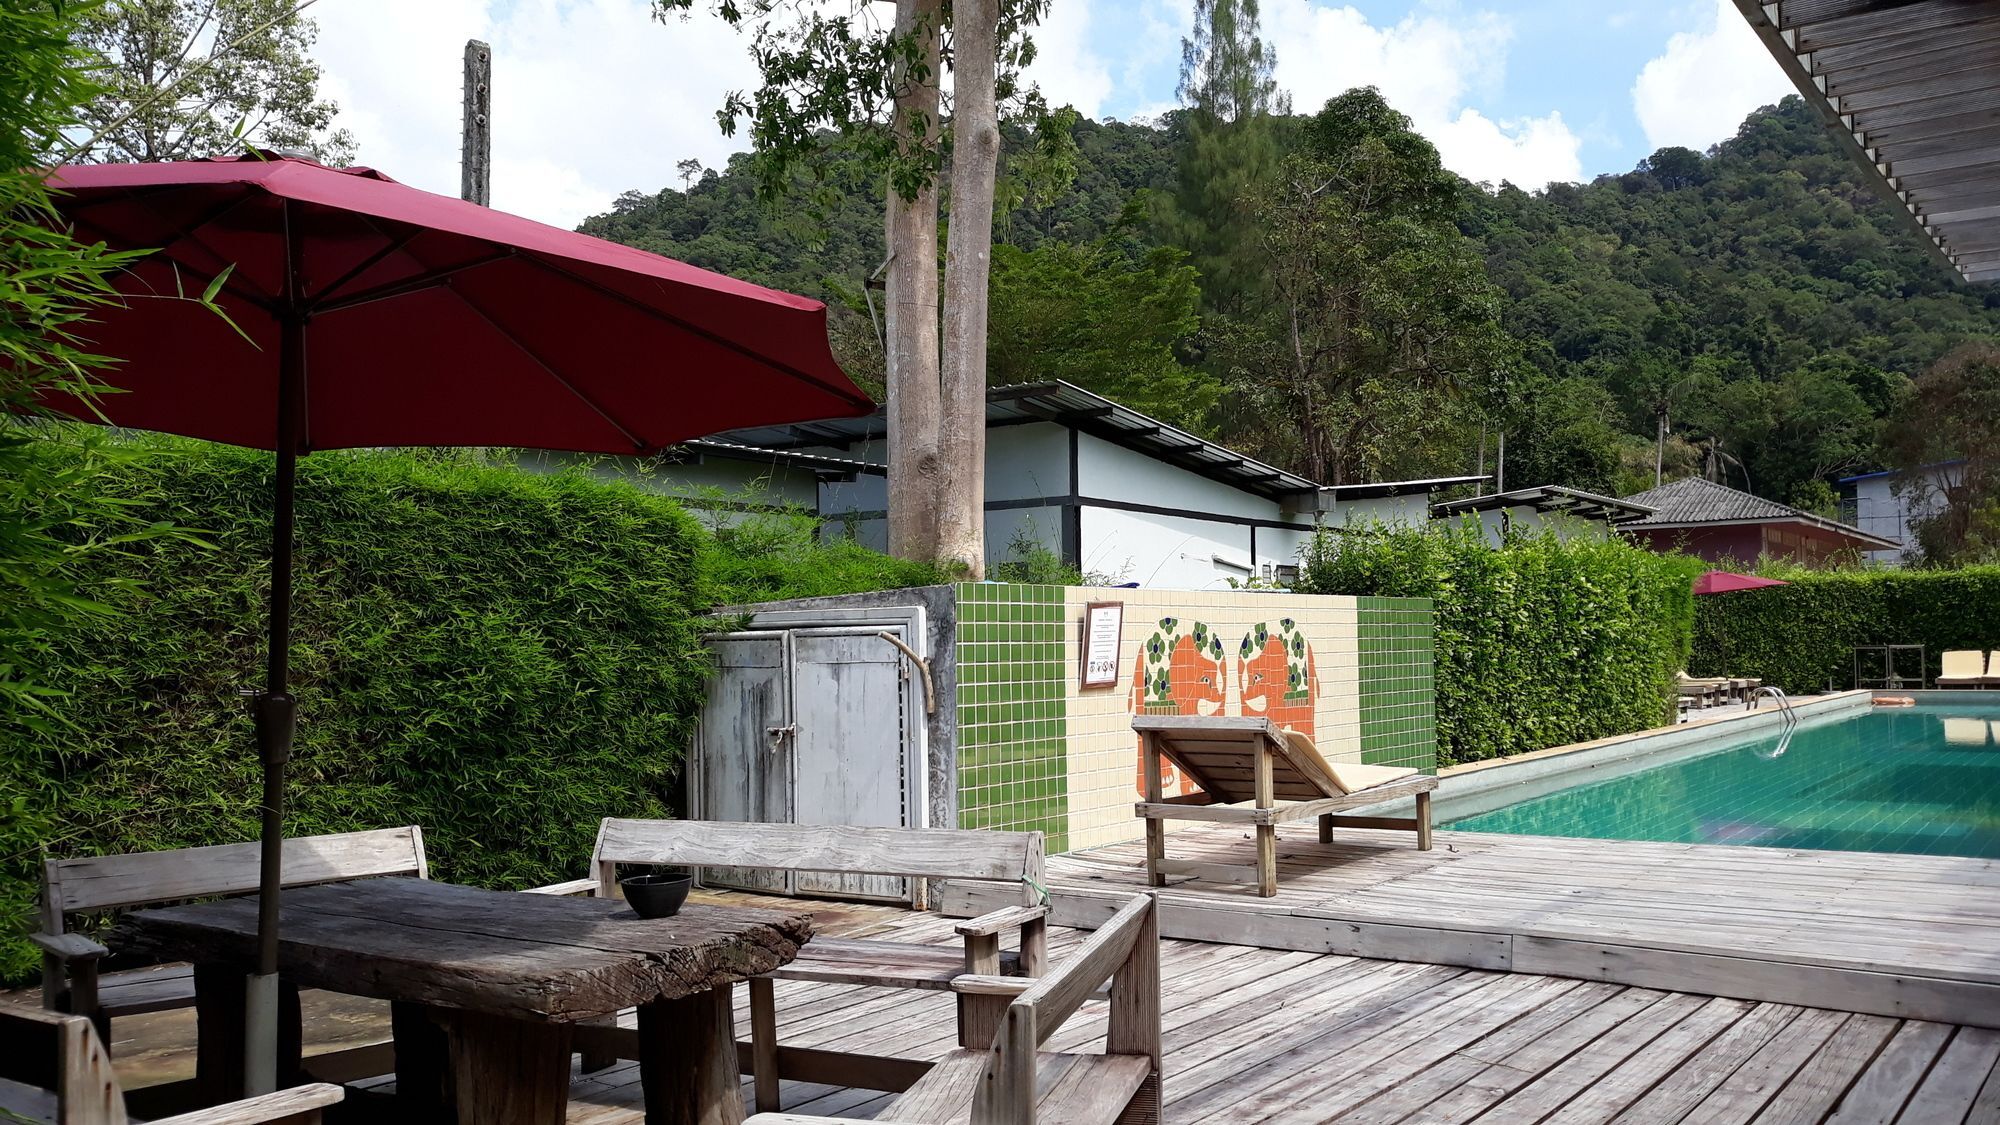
x: 1039, y: 752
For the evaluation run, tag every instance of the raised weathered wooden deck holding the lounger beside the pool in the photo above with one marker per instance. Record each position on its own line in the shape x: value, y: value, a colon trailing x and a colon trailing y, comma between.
x: 1893, y: 936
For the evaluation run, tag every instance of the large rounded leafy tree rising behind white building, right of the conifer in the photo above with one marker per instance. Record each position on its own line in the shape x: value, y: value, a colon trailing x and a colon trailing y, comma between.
x: 1381, y: 309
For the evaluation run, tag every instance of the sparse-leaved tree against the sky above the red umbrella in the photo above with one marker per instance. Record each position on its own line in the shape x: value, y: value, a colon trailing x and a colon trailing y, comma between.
x: 203, y: 77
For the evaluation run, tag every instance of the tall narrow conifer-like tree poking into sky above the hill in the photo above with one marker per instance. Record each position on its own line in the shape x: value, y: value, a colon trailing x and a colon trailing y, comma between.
x: 1229, y: 147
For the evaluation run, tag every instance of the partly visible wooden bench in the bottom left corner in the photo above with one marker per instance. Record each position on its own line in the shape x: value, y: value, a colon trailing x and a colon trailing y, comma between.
x: 65, y: 1074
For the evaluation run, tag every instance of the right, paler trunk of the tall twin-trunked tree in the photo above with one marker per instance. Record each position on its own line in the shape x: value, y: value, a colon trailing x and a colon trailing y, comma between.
x: 967, y: 263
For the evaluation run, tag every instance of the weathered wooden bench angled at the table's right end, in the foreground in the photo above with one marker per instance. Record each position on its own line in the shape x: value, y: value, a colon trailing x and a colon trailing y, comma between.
x: 1011, y: 1080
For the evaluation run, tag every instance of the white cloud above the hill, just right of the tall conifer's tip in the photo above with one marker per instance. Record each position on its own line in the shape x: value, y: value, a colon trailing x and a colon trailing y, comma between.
x: 1429, y: 65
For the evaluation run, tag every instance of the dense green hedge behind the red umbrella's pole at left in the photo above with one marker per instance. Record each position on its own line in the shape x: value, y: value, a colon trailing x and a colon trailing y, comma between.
x: 495, y: 656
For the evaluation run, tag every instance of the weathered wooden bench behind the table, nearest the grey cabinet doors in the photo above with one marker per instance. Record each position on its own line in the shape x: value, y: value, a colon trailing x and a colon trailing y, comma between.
x: 1013, y: 860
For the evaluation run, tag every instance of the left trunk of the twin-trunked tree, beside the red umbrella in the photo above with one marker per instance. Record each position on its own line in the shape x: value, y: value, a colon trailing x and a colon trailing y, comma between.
x: 911, y: 299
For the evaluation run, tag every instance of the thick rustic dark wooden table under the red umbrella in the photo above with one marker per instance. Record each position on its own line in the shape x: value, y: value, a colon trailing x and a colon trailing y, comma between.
x: 487, y: 988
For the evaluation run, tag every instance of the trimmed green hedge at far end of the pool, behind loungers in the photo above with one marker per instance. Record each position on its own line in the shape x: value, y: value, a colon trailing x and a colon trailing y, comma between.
x: 1803, y: 636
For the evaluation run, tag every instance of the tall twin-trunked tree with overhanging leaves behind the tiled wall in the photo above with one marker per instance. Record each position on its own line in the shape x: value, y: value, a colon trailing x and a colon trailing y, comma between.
x: 847, y: 83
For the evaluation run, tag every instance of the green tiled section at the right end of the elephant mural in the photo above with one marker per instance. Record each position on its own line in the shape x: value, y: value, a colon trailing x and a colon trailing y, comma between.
x: 1395, y: 650
